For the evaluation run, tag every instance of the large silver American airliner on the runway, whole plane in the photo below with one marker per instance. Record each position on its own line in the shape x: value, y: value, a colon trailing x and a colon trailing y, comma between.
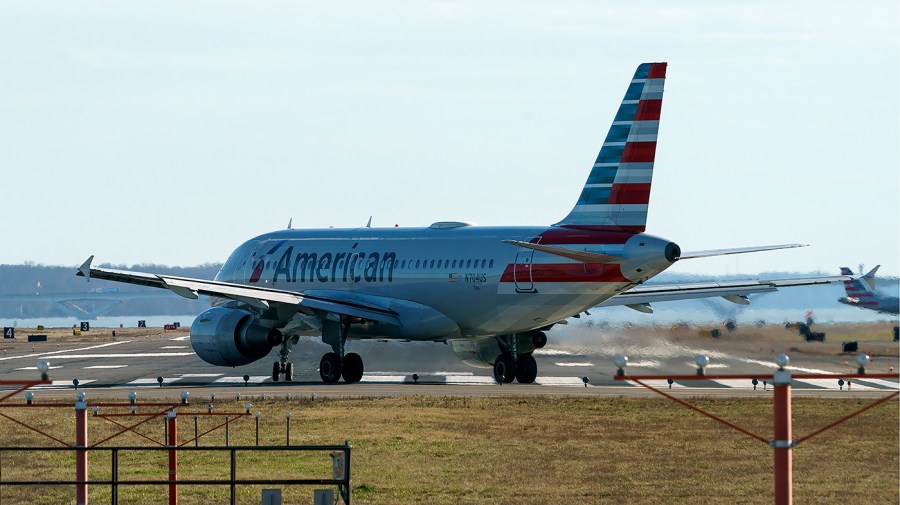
x: 491, y: 293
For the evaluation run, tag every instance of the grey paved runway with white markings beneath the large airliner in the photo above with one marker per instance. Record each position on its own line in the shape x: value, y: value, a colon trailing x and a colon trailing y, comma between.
x: 391, y: 369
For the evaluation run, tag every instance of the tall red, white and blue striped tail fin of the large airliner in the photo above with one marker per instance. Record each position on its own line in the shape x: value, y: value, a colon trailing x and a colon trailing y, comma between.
x: 617, y: 191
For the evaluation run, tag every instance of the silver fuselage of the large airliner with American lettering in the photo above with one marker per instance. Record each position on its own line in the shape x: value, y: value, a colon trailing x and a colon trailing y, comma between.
x: 466, y: 273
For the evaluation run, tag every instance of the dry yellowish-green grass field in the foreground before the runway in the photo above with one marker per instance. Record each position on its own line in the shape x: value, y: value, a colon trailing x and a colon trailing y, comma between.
x: 499, y: 450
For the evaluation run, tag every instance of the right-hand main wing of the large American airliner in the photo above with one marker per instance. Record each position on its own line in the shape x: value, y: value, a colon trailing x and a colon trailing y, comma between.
x: 640, y: 297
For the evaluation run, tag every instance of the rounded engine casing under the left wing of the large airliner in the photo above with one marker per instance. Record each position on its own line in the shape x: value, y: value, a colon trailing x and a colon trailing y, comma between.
x: 231, y: 337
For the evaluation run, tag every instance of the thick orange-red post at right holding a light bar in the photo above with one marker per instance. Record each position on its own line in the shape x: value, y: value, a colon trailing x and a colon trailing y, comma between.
x: 783, y: 442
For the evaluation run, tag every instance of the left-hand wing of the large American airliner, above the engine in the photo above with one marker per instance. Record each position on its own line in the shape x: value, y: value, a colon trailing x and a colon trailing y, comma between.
x: 257, y: 297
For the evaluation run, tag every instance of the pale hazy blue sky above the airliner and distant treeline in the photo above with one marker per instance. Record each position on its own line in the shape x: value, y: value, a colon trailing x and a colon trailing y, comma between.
x: 170, y: 132
